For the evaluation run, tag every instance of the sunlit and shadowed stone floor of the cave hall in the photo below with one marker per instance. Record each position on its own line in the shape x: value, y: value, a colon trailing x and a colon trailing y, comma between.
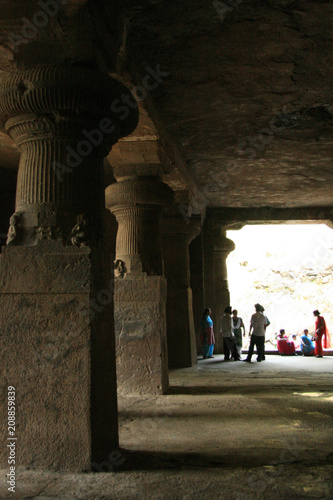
x: 226, y: 430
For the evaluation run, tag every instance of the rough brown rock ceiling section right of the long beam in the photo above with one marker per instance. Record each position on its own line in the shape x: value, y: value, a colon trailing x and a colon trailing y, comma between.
x: 249, y: 96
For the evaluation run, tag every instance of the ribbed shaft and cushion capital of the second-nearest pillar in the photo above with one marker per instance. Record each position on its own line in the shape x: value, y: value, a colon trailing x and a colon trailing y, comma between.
x: 137, y: 205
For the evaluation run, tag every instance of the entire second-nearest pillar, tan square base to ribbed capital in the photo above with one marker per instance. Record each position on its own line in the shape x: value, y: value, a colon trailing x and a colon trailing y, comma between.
x: 140, y: 288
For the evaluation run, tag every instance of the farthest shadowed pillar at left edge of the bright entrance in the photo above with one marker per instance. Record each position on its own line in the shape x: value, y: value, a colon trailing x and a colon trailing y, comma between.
x: 216, y: 250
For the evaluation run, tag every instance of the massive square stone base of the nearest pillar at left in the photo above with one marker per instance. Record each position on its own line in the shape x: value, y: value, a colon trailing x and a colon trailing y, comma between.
x: 58, y: 353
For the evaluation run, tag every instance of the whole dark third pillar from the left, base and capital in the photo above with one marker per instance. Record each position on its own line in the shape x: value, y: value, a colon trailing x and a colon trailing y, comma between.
x: 176, y: 237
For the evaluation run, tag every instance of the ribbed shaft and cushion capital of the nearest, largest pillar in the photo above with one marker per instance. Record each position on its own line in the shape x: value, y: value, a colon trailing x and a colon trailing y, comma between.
x: 63, y: 122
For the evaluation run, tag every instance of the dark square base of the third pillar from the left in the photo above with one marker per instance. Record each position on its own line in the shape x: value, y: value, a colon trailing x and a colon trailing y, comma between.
x: 181, y: 332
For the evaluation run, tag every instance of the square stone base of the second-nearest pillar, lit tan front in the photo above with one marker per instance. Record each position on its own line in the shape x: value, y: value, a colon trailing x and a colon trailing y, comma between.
x: 140, y: 323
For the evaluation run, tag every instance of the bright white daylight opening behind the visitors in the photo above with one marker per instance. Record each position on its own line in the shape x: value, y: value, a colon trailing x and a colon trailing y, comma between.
x: 287, y: 269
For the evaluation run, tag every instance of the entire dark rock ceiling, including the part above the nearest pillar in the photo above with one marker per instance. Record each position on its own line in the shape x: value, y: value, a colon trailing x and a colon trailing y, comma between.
x: 245, y: 112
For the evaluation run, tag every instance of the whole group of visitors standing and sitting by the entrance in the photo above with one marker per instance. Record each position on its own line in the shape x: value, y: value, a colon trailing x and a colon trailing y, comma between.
x: 232, y: 330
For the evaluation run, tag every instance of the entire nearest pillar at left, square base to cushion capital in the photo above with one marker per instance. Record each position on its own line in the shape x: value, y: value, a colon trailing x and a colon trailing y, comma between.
x: 55, y: 283
